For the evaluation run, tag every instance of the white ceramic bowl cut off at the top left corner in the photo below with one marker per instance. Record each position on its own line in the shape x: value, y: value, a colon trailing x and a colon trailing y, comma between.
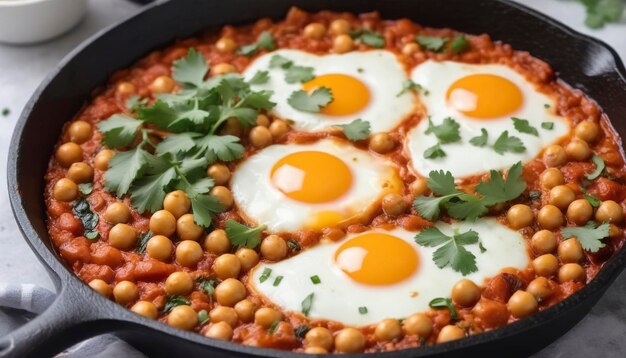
x: 29, y: 21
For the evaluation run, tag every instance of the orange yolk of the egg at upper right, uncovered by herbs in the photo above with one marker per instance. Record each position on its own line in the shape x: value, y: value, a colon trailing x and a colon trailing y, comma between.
x: 485, y: 96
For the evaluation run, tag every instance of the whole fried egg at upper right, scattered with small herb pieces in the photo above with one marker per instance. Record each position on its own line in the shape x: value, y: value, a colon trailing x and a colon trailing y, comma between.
x: 480, y: 97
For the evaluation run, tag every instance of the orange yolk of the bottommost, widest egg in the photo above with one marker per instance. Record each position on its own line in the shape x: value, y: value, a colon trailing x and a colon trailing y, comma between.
x: 377, y: 259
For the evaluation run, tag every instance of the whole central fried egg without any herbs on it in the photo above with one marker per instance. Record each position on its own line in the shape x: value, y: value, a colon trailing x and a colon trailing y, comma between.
x: 311, y: 186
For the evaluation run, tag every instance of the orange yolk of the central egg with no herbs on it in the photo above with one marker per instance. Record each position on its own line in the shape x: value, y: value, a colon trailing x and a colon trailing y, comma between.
x: 312, y: 176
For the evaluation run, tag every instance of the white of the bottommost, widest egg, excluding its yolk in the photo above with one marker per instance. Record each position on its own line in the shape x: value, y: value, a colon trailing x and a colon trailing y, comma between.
x: 338, y: 297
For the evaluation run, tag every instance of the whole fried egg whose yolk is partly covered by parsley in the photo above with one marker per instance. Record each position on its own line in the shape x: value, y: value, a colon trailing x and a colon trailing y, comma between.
x: 364, y: 85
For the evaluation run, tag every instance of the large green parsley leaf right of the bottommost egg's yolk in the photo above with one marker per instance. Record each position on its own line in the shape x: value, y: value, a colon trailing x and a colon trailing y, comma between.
x: 451, y: 252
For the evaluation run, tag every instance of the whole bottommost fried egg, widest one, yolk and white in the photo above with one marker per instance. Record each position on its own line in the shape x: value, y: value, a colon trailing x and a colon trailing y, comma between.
x: 384, y: 271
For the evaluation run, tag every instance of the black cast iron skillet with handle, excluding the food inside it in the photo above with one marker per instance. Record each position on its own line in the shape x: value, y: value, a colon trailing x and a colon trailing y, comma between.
x: 80, y: 312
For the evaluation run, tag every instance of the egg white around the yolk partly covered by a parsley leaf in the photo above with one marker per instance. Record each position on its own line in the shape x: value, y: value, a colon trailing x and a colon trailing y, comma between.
x: 379, y: 70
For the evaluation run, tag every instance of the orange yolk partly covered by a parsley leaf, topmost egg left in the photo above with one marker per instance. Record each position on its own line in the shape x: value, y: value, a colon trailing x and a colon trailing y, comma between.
x: 350, y: 95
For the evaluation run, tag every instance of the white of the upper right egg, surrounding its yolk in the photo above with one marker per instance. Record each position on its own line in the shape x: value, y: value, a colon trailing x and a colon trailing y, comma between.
x: 463, y: 159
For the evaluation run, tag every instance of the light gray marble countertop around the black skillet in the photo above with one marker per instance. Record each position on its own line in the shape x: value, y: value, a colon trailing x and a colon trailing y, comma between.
x: 601, y: 333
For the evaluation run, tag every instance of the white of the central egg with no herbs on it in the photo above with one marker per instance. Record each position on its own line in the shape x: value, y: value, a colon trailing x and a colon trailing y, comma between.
x: 258, y: 200
